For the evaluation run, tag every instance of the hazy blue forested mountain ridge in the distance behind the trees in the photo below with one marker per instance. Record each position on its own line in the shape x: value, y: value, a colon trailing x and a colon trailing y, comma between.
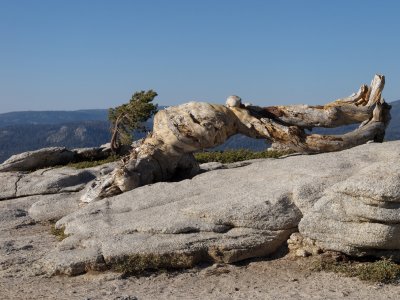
x: 31, y: 130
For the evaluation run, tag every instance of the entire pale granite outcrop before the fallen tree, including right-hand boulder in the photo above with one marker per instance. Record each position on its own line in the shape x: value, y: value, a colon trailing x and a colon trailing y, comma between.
x: 228, y: 215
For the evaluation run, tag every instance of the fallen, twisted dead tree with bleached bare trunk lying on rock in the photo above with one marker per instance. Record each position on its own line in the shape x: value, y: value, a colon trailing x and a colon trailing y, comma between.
x: 179, y: 131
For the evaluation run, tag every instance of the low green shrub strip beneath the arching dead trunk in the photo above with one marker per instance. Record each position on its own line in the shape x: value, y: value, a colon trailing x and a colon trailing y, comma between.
x: 231, y: 156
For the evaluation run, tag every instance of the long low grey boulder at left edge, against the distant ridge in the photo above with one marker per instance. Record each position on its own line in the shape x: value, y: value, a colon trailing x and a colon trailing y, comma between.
x: 39, y: 159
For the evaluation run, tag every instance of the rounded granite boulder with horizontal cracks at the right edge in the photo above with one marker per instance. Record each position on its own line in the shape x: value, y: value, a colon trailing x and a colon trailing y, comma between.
x: 360, y: 216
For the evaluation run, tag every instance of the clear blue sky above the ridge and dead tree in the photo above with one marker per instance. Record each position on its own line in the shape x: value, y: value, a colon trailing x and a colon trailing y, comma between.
x: 69, y: 55
